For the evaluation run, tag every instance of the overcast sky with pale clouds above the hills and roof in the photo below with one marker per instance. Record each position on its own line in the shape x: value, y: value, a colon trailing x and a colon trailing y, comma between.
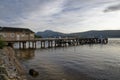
x: 61, y: 15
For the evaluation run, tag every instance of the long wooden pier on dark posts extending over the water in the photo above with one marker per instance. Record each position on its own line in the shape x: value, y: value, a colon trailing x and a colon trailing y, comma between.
x: 55, y: 42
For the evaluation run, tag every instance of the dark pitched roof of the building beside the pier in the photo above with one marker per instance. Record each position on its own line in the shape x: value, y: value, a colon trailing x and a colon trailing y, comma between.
x: 12, y: 29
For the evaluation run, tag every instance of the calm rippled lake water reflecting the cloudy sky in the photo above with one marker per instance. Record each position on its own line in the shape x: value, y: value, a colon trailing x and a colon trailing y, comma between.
x: 85, y: 62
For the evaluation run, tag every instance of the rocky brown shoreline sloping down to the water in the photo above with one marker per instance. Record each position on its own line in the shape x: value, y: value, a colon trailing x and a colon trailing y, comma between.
x: 10, y: 67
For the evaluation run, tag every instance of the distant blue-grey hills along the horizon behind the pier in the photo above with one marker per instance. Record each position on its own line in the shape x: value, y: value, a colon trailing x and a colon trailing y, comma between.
x: 93, y: 33
